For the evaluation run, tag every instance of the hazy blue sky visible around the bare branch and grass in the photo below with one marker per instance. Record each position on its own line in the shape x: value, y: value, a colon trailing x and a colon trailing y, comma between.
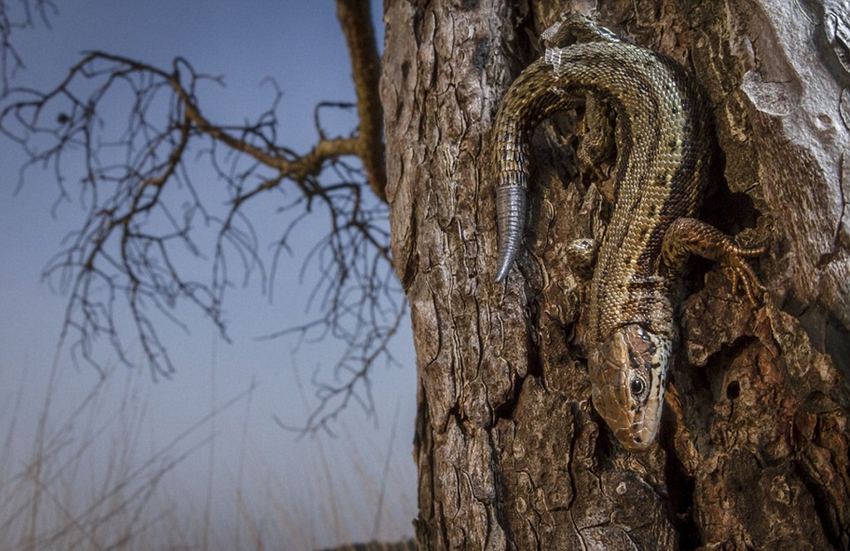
x: 300, y: 45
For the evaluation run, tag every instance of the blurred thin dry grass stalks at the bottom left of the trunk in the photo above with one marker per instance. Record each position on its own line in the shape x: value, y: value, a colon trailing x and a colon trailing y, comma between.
x: 87, y: 477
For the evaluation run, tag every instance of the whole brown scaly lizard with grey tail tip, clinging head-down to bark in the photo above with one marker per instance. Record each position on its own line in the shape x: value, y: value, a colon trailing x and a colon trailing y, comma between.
x: 663, y: 139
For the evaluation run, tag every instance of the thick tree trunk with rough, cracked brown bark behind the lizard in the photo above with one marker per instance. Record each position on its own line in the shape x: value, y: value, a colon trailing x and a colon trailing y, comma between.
x: 753, y: 450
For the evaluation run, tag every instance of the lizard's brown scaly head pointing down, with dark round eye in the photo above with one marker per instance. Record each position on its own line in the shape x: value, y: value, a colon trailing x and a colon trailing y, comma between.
x: 627, y: 372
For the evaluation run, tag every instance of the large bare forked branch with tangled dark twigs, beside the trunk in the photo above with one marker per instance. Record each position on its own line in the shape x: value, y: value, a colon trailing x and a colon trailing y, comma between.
x: 130, y: 135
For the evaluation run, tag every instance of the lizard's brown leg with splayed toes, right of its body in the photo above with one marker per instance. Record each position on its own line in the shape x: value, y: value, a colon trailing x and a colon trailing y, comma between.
x: 691, y: 236
